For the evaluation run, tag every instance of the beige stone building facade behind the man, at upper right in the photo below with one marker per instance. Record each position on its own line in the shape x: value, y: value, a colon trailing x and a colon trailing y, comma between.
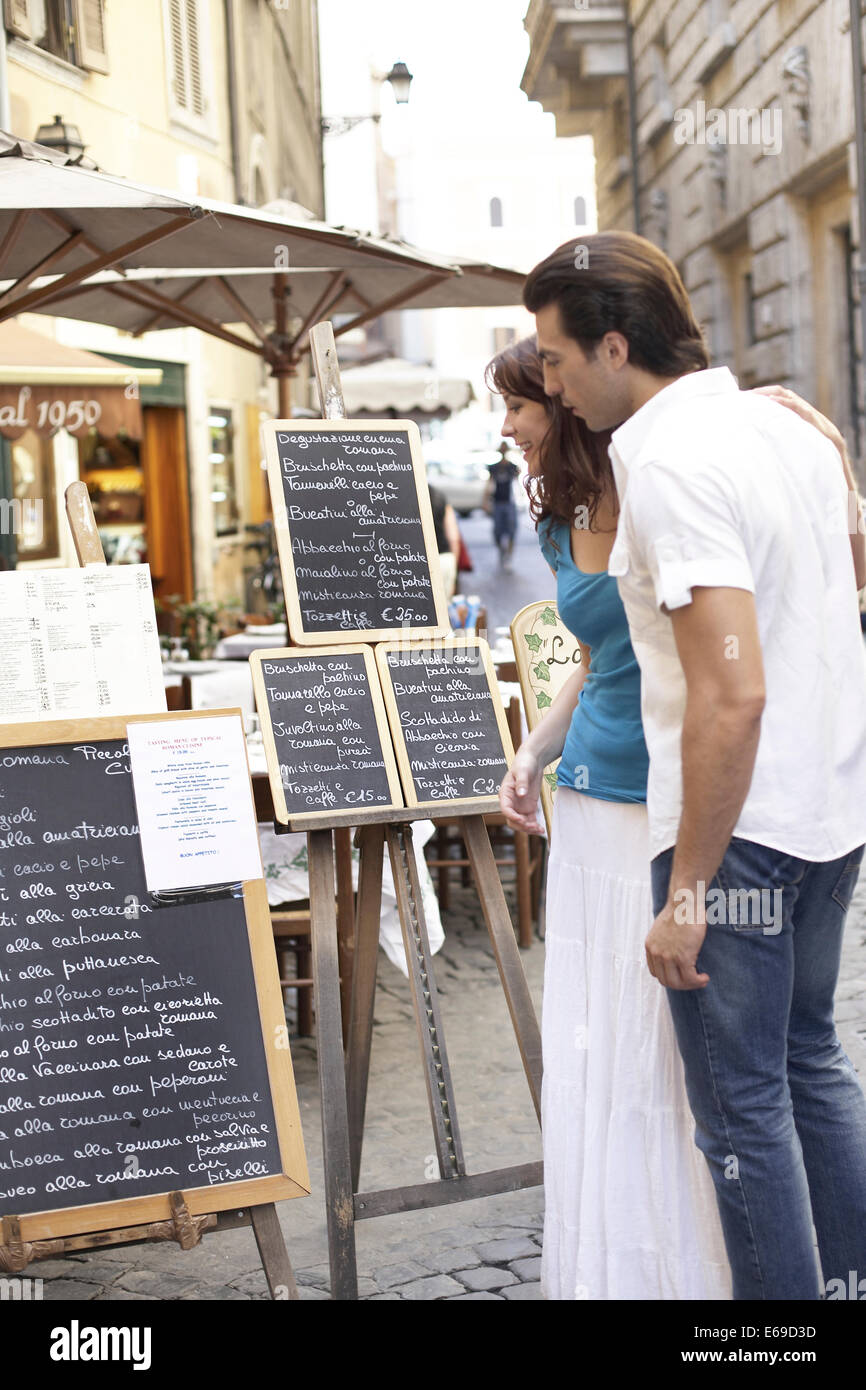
x: 746, y: 173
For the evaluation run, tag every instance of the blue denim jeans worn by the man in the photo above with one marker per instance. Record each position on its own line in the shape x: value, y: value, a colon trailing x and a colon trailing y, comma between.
x: 779, y: 1113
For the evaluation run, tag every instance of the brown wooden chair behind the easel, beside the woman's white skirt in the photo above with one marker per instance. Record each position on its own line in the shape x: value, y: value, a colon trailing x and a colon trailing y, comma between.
x: 526, y: 857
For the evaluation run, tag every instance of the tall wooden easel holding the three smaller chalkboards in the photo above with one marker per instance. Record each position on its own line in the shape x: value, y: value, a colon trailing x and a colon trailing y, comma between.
x: 344, y: 1077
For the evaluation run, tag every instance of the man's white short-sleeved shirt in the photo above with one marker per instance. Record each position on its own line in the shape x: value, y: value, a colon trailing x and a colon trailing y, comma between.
x: 724, y: 489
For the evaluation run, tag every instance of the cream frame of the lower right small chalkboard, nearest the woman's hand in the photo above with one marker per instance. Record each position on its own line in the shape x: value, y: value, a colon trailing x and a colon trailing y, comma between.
x: 487, y: 801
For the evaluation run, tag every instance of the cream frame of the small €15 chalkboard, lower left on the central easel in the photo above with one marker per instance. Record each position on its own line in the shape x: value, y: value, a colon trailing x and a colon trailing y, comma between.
x: 320, y: 655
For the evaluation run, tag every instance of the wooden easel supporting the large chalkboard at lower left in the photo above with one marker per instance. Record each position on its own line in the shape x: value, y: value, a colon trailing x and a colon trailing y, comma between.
x: 184, y: 1228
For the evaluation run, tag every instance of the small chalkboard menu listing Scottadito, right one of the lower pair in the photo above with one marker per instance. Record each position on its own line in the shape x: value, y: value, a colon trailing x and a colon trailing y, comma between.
x: 448, y: 723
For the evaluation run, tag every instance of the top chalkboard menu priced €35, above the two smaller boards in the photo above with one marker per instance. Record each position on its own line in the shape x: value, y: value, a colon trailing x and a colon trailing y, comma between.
x: 355, y: 530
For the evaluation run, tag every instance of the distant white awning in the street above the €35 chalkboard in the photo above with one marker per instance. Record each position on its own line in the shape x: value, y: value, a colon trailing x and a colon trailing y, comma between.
x: 404, y: 389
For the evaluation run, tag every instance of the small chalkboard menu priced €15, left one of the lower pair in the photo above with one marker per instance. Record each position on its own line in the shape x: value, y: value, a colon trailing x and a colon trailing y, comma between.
x: 326, y: 732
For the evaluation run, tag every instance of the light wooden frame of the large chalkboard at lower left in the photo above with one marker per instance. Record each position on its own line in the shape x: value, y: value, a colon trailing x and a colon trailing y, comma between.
x: 227, y: 1196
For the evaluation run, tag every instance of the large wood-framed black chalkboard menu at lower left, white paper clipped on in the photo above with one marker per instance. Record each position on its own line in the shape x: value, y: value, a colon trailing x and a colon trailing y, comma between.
x: 140, y: 1043
